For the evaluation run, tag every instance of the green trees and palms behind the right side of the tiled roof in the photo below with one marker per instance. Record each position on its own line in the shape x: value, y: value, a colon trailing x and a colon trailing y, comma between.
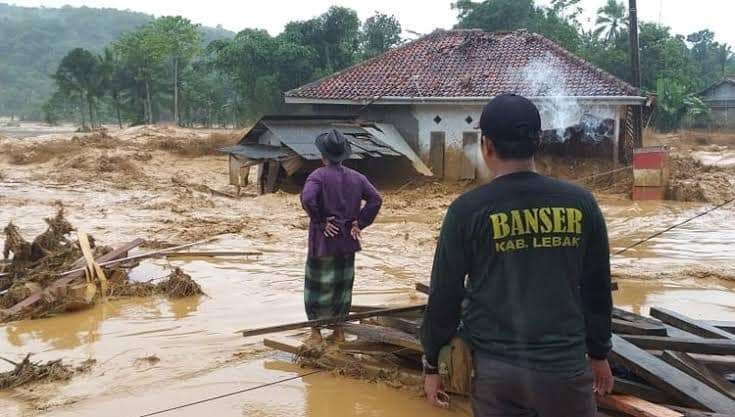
x: 674, y: 66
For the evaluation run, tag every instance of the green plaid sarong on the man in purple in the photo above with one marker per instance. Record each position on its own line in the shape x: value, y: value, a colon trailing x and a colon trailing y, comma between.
x: 328, y: 286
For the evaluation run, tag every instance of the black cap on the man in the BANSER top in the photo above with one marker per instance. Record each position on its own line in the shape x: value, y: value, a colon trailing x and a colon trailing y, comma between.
x: 510, y: 118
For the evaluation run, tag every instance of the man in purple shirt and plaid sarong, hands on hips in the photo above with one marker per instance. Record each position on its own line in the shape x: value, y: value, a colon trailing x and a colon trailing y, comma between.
x: 332, y: 197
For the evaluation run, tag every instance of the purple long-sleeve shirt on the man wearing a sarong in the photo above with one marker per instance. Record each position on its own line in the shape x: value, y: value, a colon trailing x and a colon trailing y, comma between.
x: 337, y: 191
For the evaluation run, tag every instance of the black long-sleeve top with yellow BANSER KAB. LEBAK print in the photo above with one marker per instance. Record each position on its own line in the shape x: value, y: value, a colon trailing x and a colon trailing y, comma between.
x: 524, y: 263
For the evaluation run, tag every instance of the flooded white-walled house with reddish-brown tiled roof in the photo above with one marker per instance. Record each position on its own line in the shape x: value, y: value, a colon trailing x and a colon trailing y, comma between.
x: 433, y: 89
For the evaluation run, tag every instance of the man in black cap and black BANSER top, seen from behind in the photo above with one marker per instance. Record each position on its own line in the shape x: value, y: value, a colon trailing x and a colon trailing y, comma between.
x: 522, y: 274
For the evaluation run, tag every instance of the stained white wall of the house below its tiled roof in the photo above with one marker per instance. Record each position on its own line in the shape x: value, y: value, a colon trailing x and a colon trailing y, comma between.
x: 457, y: 120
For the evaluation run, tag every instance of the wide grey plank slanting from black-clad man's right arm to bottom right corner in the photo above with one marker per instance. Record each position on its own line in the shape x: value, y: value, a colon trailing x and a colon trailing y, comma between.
x: 668, y: 379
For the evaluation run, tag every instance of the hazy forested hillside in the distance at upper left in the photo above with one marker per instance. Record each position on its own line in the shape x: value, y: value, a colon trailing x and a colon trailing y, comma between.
x: 34, y: 40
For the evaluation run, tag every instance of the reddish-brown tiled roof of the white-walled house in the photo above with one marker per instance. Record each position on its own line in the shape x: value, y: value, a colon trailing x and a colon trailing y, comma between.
x: 467, y: 64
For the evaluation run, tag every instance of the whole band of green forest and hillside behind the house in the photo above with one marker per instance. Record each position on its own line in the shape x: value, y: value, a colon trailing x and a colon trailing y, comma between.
x: 102, y: 65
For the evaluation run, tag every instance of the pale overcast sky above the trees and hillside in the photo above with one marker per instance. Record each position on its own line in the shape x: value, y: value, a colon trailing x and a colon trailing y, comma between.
x: 683, y: 16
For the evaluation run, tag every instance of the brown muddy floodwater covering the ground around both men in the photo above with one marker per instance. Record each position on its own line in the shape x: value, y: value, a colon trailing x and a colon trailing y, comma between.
x: 154, y: 354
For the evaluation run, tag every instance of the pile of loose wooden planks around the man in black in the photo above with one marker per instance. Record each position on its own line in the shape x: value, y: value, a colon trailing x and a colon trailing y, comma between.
x: 665, y: 365
